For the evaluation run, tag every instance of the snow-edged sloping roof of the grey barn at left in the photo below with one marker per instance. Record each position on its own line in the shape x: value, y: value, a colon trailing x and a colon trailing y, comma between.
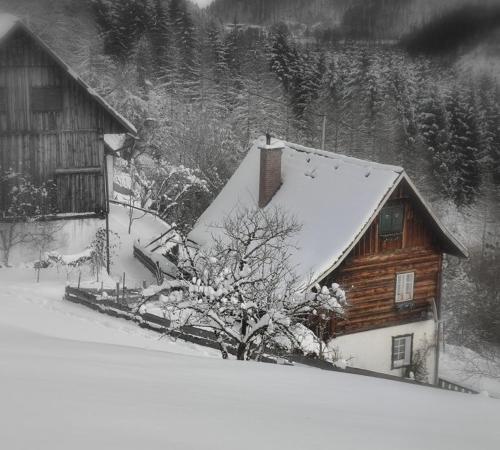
x: 9, y: 23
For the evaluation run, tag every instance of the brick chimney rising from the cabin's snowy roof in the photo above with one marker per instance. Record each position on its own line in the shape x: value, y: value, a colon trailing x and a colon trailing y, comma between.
x: 270, y: 170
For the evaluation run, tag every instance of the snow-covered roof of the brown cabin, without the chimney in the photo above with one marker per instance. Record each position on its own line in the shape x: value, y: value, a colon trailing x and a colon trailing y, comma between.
x: 333, y: 197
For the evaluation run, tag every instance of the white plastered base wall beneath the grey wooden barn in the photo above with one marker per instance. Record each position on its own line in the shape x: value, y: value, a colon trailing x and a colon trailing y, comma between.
x: 70, y: 236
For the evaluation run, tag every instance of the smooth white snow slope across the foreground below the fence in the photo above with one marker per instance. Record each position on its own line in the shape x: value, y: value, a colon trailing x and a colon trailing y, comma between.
x: 73, y: 379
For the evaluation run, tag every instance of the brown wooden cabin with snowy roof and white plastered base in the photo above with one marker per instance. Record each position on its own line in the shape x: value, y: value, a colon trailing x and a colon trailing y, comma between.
x: 365, y: 226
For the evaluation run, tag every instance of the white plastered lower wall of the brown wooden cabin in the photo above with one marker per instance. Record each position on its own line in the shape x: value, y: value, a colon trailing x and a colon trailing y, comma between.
x: 372, y: 350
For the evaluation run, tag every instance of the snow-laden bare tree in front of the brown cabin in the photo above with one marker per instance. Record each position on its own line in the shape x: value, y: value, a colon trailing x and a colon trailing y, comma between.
x: 243, y: 286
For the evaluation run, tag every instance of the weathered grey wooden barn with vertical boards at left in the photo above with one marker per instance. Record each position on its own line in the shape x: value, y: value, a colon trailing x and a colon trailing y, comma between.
x: 52, y: 124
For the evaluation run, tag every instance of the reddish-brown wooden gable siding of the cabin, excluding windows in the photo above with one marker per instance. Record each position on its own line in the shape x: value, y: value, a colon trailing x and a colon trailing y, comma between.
x: 369, y: 273
